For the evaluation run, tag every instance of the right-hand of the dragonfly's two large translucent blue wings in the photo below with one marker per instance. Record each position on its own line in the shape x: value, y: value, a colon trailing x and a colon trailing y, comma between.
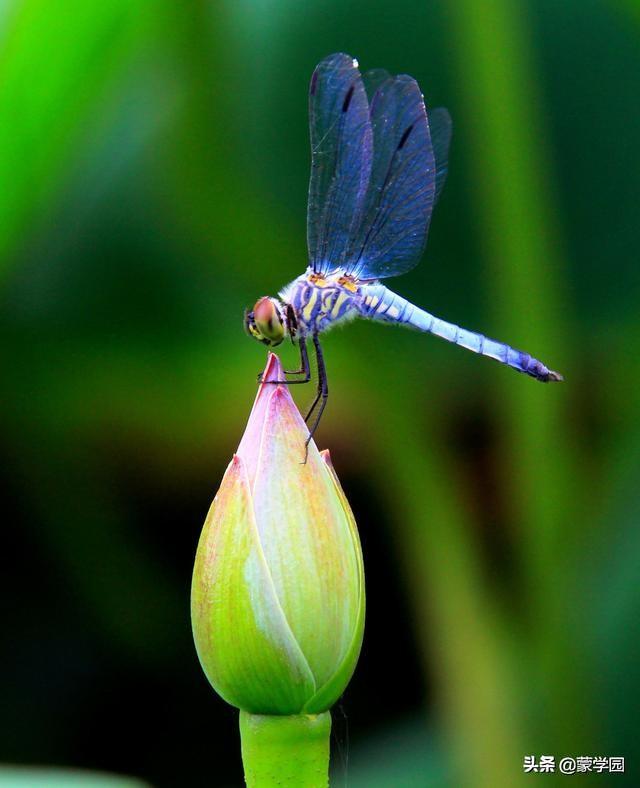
x: 393, y: 230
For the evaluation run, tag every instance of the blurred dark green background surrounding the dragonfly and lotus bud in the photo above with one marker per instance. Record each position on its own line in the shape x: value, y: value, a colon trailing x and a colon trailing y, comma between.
x: 153, y: 173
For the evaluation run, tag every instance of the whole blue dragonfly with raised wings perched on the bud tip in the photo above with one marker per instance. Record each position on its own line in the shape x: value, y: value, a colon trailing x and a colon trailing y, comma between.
x: 378, y: 165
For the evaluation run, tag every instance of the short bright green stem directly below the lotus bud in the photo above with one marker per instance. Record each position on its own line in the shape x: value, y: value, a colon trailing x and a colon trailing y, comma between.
x: 285, y: 751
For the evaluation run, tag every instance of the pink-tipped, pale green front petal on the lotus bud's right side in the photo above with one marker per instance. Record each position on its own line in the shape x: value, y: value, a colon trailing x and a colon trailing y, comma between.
x: 307, y: 541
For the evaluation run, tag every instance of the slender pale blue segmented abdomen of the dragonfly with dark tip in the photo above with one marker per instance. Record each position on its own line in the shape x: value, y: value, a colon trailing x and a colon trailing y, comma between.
x: 380, y: 303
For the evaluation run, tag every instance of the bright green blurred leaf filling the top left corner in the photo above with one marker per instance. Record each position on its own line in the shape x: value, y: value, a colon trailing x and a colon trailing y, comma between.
x: 58, y: 66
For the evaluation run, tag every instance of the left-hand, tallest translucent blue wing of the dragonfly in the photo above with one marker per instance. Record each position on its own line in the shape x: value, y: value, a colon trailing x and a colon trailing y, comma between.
x: 341, y: 159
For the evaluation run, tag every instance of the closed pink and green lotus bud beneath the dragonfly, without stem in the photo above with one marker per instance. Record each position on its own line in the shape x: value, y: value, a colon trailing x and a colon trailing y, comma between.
x: 278, y: 585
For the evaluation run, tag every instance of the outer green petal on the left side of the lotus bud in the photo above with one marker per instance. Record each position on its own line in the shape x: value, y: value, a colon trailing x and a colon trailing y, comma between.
x: 242, y: 637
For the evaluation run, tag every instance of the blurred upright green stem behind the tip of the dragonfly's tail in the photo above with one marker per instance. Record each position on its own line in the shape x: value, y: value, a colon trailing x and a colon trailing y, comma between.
x: 522, y: 243
